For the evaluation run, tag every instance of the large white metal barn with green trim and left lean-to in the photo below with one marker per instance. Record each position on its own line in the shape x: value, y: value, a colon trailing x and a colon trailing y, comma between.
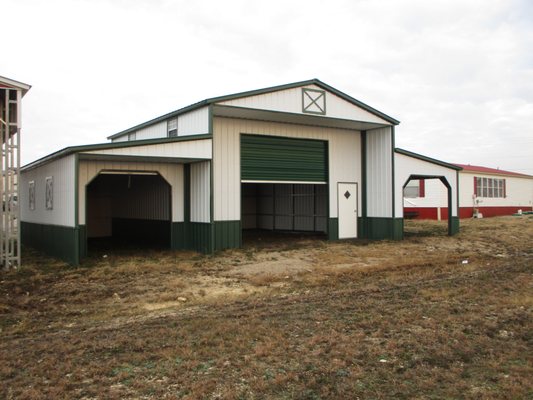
x: 296, y: 157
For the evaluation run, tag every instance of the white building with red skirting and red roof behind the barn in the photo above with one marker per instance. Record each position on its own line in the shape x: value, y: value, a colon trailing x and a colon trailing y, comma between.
x: 488, y: 191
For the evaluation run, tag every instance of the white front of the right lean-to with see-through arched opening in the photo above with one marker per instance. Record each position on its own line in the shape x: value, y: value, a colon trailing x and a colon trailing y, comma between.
x: 411, y: 166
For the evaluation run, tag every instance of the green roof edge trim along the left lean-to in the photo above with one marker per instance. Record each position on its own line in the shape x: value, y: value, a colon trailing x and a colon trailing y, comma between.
x: 104, y: 146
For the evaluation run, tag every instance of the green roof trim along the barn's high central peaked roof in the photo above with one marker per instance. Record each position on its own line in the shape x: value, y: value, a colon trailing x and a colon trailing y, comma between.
x: 256, y: 92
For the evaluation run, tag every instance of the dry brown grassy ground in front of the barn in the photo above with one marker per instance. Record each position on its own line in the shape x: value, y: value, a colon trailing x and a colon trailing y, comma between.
x: 428, y: 317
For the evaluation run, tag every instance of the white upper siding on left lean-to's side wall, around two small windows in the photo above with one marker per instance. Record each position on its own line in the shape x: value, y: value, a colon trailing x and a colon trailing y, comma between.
x: 63, y: 212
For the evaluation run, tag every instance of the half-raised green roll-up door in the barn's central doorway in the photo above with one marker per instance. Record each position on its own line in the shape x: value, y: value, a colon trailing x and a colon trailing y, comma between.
x: 281, y: 159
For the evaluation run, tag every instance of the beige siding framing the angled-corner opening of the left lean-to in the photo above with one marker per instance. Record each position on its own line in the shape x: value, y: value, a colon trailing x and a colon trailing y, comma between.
x: 172, y: 173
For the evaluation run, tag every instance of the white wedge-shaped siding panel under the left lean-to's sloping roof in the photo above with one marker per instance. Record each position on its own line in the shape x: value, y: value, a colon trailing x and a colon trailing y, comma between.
x: 187, y: 149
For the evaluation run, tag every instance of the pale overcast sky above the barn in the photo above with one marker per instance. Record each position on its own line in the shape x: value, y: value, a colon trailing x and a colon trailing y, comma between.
x: 458, y: 74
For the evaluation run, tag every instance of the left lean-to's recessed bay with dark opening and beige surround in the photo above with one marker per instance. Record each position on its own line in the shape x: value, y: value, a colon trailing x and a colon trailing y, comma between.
x: 124, y: 203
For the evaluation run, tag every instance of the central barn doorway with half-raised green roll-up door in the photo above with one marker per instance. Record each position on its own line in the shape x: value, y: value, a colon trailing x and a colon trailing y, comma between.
x: 284, y: 185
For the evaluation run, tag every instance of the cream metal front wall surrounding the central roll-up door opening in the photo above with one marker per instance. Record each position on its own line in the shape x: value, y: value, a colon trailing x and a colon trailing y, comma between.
x: 344, y: 150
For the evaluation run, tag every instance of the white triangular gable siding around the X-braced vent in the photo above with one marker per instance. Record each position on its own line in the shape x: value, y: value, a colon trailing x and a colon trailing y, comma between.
x: 290, y: 100
